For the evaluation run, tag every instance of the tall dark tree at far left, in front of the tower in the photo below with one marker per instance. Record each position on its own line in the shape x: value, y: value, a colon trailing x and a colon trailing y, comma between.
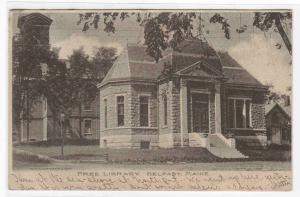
x: 27, y: 56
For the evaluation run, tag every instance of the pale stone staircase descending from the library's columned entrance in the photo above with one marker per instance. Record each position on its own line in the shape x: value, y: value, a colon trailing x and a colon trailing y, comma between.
x: 219, y: 148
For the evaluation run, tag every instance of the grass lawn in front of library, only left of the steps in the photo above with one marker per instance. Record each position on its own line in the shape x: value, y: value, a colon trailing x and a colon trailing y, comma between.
x: 93, y: 152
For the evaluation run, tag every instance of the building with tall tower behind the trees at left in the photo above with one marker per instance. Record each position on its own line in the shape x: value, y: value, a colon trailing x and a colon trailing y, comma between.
x: 38, y: 124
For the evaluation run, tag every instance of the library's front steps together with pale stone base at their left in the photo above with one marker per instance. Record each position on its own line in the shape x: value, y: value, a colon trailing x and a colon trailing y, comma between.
x: 216, y: 145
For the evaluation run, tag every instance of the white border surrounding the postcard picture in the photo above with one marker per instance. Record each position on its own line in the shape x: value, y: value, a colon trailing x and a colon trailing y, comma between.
x: 166, y: 4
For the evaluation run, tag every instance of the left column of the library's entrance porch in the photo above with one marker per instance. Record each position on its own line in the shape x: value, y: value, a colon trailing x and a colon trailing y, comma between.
x: 183, y: 111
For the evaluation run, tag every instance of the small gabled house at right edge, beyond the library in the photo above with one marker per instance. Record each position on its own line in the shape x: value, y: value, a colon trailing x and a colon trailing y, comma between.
x: 278, y: 123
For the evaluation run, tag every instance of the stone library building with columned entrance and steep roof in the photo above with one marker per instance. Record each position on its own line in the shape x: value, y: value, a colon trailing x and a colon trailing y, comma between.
x: 193, y: 96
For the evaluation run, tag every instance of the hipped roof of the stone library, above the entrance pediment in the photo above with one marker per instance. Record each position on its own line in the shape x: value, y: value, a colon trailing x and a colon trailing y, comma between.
x: 134, y: 63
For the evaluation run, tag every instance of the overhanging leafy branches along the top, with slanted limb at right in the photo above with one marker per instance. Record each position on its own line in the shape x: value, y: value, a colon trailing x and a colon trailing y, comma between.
x: 168, y: 29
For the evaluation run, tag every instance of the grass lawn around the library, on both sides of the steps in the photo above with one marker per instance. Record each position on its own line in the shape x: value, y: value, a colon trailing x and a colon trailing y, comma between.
x: 188, y: 154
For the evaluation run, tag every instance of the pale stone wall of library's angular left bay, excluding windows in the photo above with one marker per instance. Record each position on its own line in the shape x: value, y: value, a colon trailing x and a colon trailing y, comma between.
x: 131, y: 135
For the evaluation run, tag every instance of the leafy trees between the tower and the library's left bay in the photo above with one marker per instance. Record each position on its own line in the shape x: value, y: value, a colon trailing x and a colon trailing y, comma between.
x: 69, y: 85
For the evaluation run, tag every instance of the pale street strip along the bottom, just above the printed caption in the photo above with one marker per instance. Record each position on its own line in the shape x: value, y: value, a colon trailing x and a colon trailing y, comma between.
x: 170, y: 166
